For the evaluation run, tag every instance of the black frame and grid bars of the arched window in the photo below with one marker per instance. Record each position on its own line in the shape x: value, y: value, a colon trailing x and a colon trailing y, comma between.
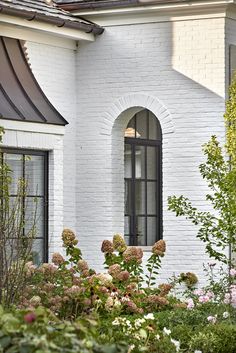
x: 146, y: 142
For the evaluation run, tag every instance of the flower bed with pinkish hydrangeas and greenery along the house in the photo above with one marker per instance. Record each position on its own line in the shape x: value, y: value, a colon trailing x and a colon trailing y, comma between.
x: 68, y: 307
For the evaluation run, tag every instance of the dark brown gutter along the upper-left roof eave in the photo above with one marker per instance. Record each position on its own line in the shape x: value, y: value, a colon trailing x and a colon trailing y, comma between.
x: 58, y: 22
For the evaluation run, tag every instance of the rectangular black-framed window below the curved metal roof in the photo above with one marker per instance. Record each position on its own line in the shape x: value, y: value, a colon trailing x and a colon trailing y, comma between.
x: 31, y: 166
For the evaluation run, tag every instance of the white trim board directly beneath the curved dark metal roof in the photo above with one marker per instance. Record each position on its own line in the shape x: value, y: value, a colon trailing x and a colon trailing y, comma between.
x: 32, y: 127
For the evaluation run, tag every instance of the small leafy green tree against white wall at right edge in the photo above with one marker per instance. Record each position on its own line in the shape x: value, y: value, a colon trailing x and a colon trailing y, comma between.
x: 217, y: 229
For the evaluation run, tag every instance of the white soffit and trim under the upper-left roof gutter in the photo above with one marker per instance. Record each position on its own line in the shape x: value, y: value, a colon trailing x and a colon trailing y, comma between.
x: 35, y: 31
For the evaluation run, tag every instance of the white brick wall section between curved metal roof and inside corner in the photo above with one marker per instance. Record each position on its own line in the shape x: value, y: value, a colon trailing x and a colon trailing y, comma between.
x: 54, y: 69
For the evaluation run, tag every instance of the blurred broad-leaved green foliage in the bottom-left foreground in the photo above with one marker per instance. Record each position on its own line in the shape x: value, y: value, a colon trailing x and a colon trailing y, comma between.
x: 46, y: 334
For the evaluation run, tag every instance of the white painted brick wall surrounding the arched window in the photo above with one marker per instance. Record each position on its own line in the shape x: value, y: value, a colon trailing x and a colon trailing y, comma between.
x: 182, y: 65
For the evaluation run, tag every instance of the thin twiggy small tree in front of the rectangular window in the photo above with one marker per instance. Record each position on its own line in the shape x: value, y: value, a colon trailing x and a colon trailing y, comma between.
x: 15, y: 241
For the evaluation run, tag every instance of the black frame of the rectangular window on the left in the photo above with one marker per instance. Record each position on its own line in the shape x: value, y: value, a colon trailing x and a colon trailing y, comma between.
x: 27, y: 152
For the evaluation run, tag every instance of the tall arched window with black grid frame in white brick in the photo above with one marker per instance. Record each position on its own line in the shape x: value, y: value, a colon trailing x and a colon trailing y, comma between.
x: 143, y: 141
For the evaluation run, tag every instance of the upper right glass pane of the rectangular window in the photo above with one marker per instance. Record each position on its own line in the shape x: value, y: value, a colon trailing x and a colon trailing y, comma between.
x: 34, y: 174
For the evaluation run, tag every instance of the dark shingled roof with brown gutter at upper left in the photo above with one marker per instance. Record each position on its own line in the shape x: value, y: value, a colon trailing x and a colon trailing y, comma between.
x: 46, y: 11
